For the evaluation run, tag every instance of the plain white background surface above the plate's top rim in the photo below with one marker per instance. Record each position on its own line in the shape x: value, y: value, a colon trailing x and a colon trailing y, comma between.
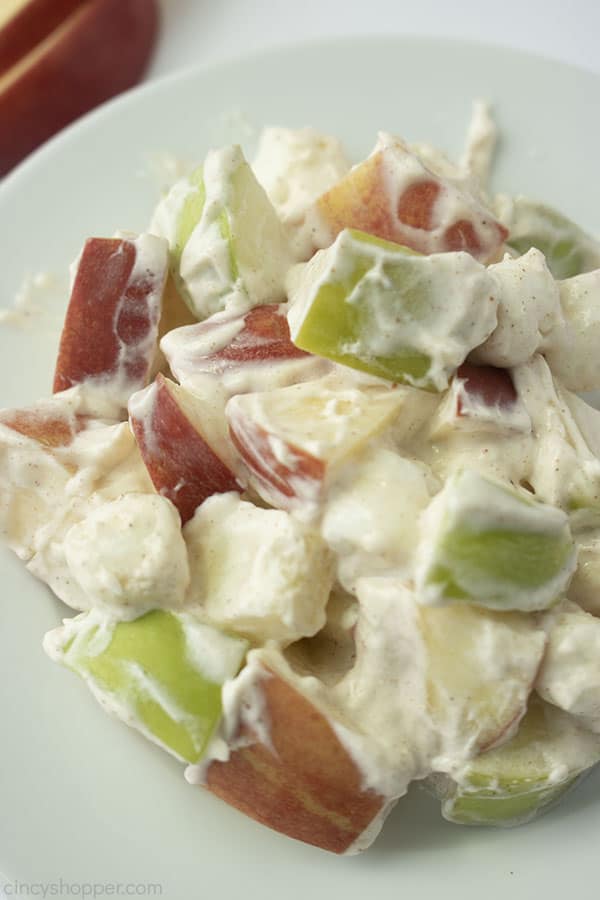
x: 204, y: 31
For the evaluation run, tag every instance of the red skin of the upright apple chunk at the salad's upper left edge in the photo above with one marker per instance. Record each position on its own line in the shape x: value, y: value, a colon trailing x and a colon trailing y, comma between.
x: 107, y: 310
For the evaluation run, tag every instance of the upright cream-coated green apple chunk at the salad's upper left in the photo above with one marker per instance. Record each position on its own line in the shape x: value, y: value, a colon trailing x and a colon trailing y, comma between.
x: 227, y: 242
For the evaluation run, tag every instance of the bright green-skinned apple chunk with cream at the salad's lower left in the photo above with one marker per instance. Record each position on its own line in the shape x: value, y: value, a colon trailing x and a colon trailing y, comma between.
x: 162, y: 673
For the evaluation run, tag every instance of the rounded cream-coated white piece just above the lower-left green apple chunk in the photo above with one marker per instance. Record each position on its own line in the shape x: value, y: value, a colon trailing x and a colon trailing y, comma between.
x: 146, y: 567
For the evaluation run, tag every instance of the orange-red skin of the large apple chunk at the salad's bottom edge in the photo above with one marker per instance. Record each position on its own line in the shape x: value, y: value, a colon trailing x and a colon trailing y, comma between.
x: 305, y: 785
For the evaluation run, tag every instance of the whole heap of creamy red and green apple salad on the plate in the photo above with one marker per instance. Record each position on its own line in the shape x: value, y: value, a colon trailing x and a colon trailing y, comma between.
x: 319, y: 489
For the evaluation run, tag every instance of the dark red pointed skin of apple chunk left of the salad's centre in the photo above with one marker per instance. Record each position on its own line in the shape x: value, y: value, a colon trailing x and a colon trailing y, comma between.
x: 181, y: 464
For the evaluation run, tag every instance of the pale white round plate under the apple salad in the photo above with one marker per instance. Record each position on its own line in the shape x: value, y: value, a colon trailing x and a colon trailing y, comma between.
x: 86, y: 800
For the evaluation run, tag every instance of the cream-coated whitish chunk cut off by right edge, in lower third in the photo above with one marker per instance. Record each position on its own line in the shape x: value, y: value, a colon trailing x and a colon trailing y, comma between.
x: 570, y: 674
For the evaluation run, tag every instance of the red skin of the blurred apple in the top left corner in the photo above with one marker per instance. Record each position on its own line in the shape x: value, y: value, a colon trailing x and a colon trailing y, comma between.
x: 103, y: 50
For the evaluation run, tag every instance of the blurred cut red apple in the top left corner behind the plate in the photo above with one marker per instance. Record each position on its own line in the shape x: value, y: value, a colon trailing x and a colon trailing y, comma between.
x: 60, y: 58
